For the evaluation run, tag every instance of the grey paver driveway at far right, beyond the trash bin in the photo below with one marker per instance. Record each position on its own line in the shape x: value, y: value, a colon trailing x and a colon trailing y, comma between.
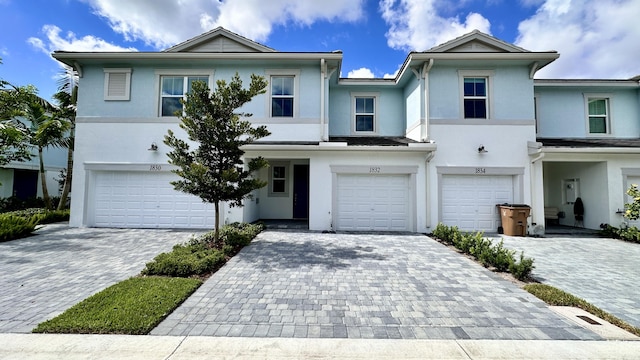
x: 605, y: 272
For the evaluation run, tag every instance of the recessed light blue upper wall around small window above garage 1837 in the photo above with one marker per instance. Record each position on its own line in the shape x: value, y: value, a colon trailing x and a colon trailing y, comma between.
x: 390, y: 110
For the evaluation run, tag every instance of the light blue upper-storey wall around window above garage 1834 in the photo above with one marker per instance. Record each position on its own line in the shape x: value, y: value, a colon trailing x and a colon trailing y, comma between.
x: 511, y: 93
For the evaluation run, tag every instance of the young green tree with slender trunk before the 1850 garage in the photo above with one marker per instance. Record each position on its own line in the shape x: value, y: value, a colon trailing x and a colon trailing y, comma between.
x: 214, y: 170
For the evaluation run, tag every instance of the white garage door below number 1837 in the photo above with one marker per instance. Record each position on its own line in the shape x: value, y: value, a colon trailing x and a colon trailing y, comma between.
x: 373, y: 202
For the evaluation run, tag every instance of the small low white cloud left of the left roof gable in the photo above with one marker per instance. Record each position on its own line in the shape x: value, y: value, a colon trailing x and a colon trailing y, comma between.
x: 69, y: 42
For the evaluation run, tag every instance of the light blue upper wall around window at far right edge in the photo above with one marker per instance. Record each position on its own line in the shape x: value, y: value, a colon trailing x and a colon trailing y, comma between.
x: 562, y: 111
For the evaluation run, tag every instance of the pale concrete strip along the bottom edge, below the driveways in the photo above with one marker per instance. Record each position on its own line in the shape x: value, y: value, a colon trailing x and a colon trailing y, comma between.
x: 48, y: 346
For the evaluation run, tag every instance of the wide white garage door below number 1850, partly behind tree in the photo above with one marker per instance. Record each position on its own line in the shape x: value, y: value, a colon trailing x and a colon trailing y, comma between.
x: 146, y: 200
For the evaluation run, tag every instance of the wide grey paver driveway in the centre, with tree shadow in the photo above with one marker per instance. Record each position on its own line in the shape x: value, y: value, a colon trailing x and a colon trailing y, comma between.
x: 302, y: 284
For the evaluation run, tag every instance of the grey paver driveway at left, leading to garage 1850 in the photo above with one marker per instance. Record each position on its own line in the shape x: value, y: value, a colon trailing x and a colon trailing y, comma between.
x: 43, y: 275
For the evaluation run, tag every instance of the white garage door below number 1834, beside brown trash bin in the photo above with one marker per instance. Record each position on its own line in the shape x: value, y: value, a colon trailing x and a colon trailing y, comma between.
x: 469, y: 202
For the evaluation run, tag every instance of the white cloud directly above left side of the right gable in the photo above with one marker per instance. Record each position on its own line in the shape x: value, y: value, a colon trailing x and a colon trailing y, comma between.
x: 417, y: 25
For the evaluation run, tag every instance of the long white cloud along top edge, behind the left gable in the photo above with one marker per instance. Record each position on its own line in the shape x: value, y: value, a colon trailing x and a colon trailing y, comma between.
x: 164, y: 23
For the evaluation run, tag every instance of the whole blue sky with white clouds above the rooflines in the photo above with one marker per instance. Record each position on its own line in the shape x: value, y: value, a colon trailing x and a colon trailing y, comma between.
x: 595, y: 38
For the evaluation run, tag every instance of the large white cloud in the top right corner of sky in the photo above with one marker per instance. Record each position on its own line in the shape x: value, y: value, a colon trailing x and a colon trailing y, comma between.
x: 595, y: 38
